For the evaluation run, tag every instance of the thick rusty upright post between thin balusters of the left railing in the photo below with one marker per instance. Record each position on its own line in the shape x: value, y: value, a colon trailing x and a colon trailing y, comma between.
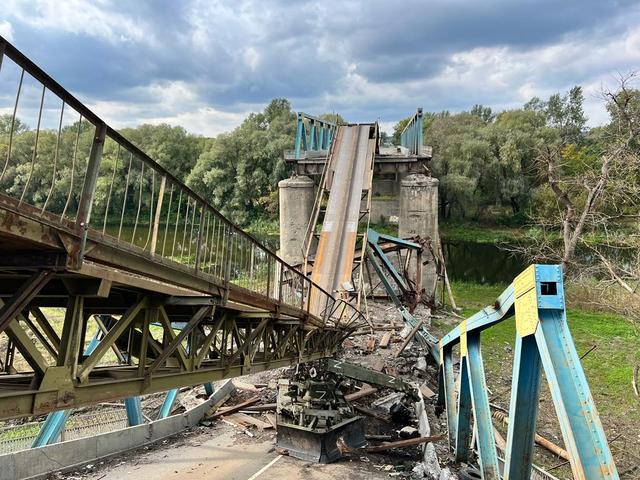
x: 88, y: 191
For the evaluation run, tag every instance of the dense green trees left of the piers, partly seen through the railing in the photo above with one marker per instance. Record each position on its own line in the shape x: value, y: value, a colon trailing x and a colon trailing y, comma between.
x: 237, y: 172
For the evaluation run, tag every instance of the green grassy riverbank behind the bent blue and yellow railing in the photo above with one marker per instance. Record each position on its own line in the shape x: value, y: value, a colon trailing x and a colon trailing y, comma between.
x: 609, y: 345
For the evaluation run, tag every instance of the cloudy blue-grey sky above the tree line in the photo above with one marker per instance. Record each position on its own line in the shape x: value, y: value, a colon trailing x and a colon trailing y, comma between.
x: 205, y: 64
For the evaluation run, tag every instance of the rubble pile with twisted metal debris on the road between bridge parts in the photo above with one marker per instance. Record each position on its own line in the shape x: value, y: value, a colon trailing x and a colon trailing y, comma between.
x: 364, y: 406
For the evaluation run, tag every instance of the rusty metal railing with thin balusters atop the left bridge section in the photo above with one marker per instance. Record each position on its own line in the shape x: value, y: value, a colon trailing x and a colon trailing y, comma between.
x: 61, y: 163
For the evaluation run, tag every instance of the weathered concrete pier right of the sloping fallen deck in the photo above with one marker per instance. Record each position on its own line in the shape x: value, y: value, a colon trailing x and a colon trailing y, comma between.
x: 419, y: 216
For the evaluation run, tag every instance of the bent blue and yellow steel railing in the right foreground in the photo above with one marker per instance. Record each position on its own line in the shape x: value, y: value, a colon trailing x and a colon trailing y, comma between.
x: 543, y: 343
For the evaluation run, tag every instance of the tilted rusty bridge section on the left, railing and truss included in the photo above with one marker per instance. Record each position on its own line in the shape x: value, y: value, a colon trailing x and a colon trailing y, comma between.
x: 124, y: 247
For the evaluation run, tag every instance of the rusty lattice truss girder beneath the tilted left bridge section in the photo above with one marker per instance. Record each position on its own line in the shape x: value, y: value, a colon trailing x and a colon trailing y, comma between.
x: 220, y: 343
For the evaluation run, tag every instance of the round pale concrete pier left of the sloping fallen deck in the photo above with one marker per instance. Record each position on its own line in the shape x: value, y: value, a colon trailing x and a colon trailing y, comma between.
x: 296, y: 205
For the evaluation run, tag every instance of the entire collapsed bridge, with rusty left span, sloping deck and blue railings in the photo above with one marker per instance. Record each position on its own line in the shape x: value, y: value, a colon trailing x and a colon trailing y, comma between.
x: 160, y: 290
